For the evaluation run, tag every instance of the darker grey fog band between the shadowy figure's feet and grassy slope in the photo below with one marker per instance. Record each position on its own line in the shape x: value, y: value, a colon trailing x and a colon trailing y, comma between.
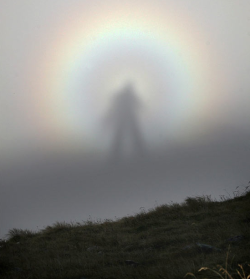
x: 43, y: 190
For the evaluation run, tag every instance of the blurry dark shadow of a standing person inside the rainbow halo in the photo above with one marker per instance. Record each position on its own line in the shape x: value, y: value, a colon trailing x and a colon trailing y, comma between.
x: 123, y: 117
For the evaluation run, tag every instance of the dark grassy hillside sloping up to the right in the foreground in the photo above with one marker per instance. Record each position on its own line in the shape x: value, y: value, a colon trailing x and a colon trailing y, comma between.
x: 166, y: 242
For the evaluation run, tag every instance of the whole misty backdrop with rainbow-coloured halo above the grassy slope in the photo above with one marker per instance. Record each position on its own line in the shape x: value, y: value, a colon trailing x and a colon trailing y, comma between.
x: 62, y: 66
